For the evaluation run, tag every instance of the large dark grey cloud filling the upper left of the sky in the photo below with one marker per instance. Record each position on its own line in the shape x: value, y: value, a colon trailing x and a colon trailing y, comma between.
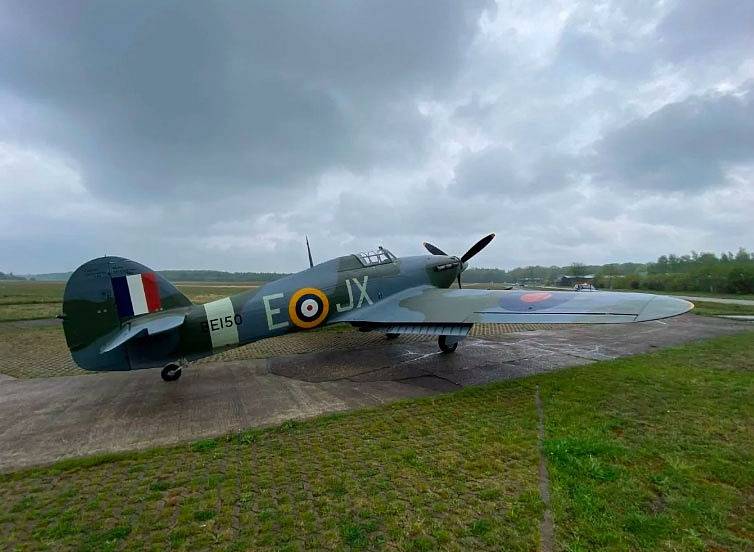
x: 157, y: 98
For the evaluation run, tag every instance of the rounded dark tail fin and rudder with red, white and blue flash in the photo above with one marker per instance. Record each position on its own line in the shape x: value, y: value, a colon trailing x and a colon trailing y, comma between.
x: 100, y: 296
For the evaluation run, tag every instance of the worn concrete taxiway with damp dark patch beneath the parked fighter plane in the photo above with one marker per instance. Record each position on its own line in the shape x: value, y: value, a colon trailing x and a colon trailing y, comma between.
x: 47, y: 419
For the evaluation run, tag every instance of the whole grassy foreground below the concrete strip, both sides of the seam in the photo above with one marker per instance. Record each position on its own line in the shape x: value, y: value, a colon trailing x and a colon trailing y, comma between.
x: 652, y: 452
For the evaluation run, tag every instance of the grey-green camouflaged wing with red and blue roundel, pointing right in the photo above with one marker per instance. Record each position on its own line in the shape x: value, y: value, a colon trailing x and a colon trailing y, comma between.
x: 427, y: 305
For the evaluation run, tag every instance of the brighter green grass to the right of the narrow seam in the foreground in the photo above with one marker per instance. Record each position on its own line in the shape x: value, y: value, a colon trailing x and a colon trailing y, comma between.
x: 656, y: 453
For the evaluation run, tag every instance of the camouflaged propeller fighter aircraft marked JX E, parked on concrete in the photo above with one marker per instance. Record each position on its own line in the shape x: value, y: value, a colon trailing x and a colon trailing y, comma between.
x: 121, y: 315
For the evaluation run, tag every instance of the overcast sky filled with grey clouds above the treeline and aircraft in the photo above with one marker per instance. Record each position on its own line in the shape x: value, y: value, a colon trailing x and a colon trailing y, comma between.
x: 218, y: 134
